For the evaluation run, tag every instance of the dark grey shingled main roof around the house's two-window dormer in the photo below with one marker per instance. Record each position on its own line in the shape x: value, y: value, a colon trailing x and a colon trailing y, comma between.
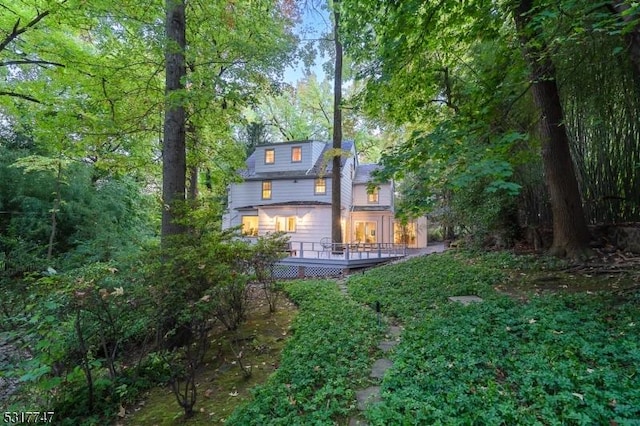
x: 319, y: 168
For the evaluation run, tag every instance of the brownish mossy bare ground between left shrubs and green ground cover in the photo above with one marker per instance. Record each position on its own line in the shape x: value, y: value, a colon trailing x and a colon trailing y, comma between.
x: 222, y: 384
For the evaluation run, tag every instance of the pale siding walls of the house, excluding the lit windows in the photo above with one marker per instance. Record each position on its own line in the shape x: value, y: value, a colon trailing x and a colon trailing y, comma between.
x: 313, y: 220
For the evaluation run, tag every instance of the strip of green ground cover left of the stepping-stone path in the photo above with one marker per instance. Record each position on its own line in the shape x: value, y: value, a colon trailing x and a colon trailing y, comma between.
x: 326, y: 359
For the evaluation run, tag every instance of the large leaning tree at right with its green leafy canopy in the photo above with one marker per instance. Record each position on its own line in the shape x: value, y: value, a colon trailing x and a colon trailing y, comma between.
x: 420, y: 61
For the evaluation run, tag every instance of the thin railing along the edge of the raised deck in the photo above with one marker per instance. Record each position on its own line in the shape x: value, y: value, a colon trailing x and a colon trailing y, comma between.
x: 345, y: 251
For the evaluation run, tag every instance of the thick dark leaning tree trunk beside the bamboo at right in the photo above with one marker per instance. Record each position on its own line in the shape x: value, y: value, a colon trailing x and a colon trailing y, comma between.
x: 570, y: 232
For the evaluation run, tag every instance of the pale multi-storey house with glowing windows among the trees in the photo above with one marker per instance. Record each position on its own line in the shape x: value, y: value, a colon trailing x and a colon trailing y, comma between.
x: 287, y: 187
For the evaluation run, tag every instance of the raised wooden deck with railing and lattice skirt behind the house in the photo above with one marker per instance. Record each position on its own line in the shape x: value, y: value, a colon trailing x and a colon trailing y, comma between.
x: 322, y: 260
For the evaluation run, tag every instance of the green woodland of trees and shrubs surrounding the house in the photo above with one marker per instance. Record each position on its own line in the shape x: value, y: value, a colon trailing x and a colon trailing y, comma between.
x: 121, y: 125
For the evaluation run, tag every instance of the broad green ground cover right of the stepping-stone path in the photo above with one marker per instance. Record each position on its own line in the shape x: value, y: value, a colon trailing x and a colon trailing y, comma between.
x: 569, y: 357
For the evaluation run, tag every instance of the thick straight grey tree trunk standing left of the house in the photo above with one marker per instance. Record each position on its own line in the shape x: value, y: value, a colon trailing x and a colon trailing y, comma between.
x: 174, y: 145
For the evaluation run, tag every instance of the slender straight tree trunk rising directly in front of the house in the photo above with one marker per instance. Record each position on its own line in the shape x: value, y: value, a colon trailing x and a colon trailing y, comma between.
x: 336, y: 185
